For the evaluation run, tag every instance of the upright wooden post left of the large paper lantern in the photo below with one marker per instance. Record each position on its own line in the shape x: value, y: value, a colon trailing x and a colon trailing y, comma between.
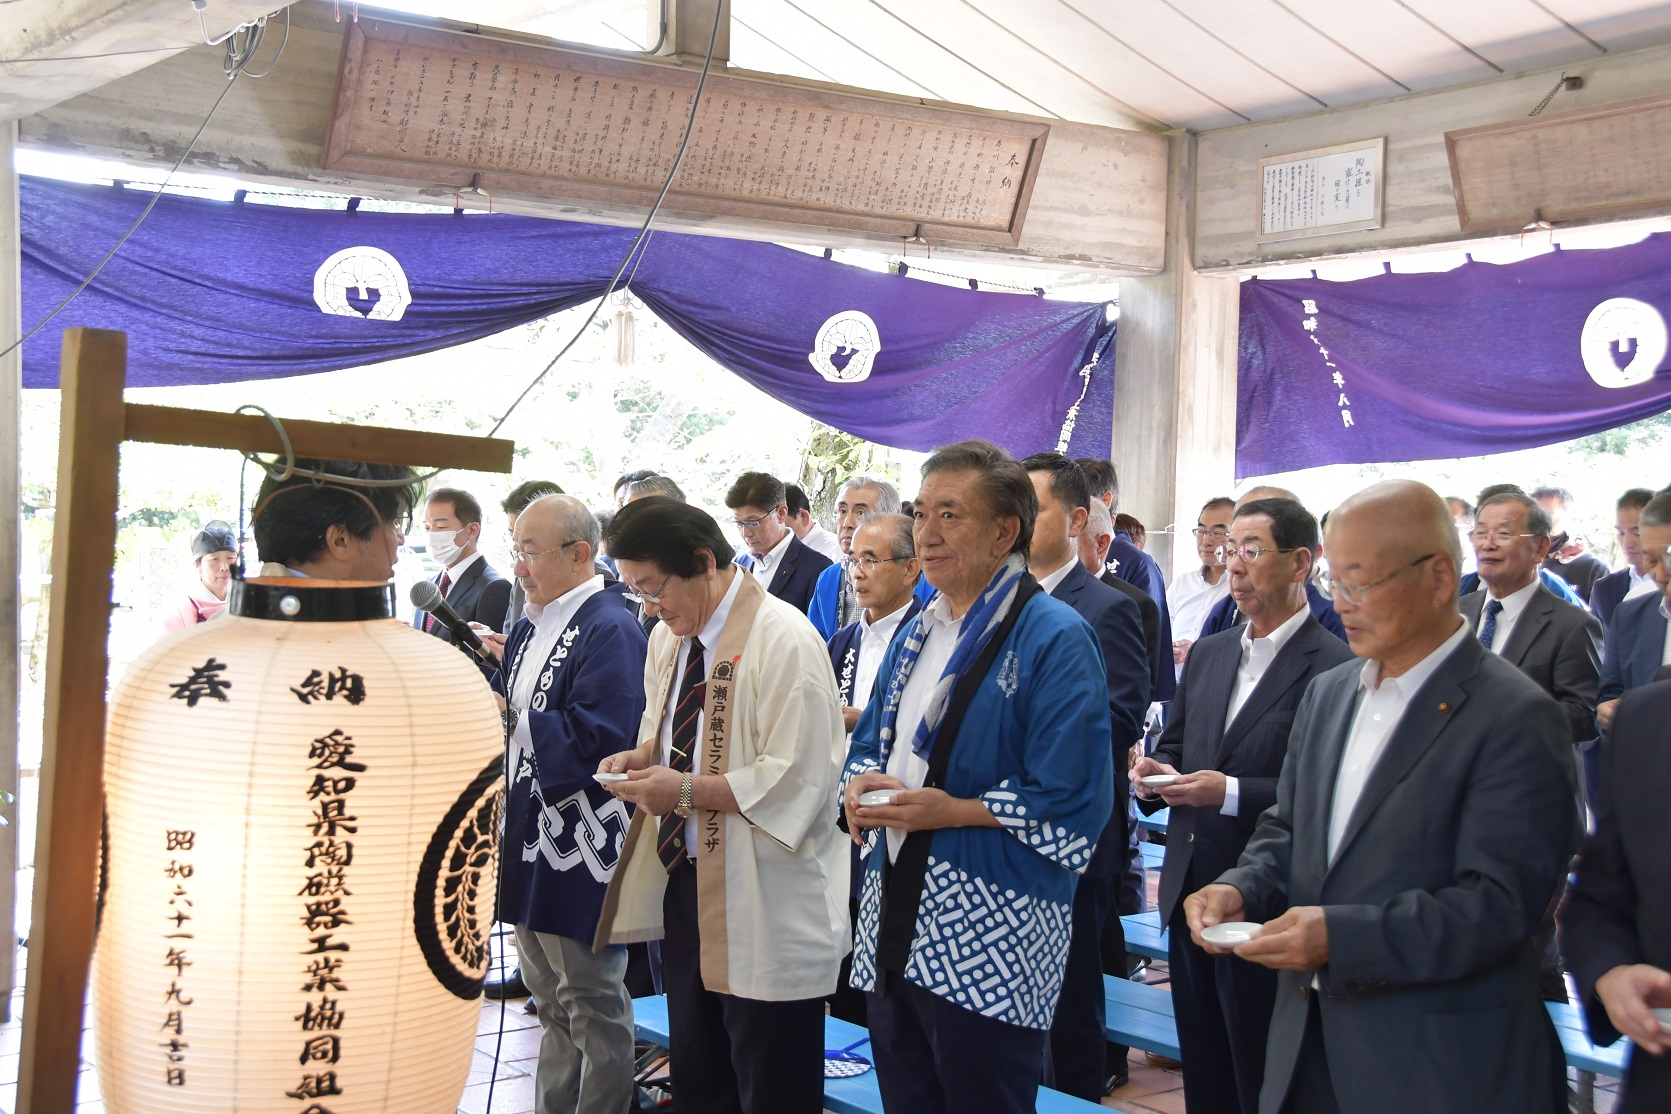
x: 73, y: 754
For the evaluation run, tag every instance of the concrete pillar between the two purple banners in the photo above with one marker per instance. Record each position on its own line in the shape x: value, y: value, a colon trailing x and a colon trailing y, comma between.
x: 1176, y: 382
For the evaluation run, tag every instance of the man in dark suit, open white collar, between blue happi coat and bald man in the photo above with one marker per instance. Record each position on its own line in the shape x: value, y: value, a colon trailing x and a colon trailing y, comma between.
x: 1227, y: 737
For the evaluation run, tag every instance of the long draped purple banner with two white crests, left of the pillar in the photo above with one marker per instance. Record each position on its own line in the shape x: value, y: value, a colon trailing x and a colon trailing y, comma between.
x: 221, y: 293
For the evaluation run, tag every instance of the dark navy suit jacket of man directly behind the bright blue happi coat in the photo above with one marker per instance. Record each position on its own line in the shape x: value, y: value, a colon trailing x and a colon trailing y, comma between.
x: 1119, y: 632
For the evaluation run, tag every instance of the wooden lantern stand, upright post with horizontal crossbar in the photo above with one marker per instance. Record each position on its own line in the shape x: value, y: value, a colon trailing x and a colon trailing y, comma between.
x: 94, y: 425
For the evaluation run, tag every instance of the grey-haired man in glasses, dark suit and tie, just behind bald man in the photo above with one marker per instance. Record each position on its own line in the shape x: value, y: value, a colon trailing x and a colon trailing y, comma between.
x: 1523, y: 622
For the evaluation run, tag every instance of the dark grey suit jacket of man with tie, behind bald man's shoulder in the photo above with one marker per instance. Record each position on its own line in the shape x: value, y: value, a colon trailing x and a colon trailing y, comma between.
x: 1558, y: 647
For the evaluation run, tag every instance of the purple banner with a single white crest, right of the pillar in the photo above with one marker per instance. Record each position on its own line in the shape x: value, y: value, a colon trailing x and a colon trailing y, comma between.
x: 1471, y: 362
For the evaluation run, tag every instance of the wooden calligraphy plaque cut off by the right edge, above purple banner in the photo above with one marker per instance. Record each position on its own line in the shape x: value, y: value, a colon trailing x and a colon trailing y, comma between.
x: 1567, y: 166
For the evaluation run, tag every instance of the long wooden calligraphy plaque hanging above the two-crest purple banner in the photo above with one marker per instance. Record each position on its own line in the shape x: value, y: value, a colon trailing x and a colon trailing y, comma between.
x: 442, y: 108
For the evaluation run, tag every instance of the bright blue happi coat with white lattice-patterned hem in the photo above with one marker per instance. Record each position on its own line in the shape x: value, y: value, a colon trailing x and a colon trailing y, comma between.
x: 997, y: 906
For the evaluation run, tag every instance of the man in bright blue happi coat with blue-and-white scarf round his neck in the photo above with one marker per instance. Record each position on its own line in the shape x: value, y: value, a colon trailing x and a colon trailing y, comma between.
x: 993, y: 717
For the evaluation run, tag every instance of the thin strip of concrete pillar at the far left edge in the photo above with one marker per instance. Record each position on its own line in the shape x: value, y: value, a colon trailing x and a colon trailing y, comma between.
x: 11, y: 552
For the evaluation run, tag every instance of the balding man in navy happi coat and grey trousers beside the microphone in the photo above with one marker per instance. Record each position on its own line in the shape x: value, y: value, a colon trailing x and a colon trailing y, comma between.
x: 574, y: 686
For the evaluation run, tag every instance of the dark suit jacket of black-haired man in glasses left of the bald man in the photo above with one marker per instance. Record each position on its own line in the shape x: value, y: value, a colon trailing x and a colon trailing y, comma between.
x: 1206, y: 843
